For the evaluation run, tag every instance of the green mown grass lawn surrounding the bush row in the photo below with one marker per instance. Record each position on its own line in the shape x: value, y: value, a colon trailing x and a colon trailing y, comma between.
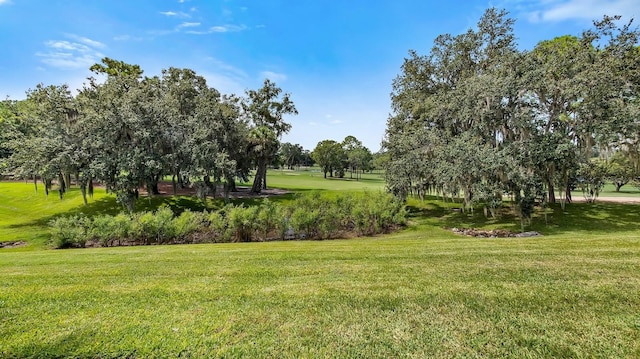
x: 421, y: 292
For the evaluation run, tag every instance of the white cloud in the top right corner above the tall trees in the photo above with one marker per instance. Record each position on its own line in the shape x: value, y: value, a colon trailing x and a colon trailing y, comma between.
x: 559, y: 10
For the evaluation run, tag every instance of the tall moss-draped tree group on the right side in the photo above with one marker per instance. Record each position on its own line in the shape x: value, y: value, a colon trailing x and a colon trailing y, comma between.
x: 479, y: 117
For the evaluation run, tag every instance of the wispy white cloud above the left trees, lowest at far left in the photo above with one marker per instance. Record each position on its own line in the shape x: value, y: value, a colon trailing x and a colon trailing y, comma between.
x: 81, y: 53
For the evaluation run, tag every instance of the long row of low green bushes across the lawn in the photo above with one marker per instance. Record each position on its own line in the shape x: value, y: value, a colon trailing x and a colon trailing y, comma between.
x: 309, y: 216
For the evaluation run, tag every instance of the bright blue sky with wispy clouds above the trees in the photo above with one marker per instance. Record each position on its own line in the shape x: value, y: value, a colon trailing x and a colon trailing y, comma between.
x: 337, y: 58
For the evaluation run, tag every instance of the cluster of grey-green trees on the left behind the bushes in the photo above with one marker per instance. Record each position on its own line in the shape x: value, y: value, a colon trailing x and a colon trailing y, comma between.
x: 131, y: 131
